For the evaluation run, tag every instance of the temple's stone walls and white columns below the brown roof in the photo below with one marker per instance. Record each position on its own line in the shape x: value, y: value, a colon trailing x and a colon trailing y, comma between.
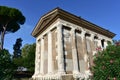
x: 71, y: 51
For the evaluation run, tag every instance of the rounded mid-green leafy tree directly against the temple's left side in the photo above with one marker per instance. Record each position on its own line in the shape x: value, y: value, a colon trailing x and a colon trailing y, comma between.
x: 28, y: 55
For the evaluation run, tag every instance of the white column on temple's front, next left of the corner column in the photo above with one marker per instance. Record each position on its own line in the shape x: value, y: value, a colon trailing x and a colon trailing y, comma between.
x: 50, y: 63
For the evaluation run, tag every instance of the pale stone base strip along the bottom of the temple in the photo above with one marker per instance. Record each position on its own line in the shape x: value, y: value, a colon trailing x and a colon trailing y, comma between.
x: 57, y: 76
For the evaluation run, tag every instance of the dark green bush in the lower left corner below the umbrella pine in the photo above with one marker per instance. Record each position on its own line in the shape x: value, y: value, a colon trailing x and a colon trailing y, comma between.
x: 6, y: 65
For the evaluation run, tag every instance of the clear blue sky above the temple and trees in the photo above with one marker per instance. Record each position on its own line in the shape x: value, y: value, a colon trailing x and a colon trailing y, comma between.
x: 105, y: 13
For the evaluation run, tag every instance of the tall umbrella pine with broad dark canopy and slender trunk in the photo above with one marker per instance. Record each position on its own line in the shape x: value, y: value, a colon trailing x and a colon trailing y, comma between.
x: 10, y: 21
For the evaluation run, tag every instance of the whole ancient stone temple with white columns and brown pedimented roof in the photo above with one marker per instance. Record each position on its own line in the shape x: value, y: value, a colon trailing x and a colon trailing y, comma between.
x: 65, y: 46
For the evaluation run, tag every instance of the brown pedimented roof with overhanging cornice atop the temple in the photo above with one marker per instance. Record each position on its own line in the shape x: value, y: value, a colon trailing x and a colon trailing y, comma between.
x: 47, y: 19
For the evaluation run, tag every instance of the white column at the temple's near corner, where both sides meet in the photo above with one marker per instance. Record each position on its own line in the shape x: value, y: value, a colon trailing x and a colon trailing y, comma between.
x: 60, y: 50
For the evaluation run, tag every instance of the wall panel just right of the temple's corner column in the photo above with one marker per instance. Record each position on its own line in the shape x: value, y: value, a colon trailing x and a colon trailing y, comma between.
x: 67, y: 50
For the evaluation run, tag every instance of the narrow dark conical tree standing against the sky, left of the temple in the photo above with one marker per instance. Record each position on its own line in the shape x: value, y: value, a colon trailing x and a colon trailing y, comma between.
x: 17, y: 49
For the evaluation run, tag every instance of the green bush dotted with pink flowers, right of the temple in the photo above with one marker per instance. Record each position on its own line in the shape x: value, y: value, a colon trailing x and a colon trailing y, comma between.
x: 107, y: 64
